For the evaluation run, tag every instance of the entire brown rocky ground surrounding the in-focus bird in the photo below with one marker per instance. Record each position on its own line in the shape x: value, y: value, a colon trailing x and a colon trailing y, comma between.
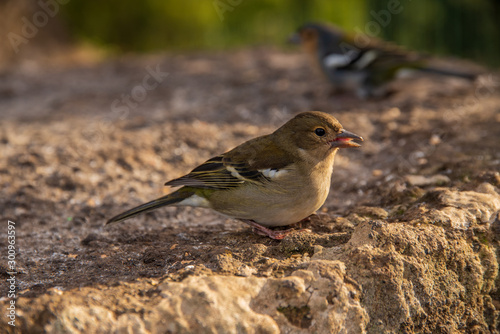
x: 407, y: 242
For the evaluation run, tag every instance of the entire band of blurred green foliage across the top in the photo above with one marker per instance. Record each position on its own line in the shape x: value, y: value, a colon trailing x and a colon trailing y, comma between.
x: 467, y: 28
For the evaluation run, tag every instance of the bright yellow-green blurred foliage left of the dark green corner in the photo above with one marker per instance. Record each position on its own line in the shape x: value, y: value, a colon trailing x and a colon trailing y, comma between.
x: 199, y: 24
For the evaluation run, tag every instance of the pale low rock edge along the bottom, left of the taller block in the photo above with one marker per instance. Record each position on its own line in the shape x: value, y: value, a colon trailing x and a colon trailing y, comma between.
x: 319, y: 298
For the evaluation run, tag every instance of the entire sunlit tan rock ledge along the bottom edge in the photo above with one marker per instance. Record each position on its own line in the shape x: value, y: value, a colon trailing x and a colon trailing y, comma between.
x: 387, y: 277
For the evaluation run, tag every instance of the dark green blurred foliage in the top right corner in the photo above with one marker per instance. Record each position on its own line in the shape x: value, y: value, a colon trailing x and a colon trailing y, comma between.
x: 462, y: 28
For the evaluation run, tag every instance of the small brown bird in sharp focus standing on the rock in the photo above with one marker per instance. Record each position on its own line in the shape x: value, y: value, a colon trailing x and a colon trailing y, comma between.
x: 273, y: 180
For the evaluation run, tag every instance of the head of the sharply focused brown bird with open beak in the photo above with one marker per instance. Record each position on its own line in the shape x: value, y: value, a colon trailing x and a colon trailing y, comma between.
x: 315, y: 134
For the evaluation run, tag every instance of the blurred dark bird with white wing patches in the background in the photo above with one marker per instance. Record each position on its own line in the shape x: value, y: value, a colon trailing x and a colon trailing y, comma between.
x: 361, y: 63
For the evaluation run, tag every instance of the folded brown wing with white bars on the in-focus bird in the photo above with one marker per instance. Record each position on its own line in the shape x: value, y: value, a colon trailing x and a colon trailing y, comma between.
x: 251, y: 162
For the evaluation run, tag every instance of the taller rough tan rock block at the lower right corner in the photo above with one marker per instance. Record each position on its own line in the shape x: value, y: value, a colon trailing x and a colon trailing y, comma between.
x: 419, y: 278
